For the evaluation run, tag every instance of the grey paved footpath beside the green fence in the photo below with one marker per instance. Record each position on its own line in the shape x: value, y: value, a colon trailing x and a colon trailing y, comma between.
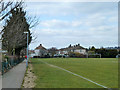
x: 14, y: 77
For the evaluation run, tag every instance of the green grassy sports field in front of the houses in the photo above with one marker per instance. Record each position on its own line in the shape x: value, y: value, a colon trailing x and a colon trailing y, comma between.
x: 103, y: 71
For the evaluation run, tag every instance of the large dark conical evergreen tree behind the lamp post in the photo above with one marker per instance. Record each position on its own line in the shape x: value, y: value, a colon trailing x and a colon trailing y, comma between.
x: 14, y: 39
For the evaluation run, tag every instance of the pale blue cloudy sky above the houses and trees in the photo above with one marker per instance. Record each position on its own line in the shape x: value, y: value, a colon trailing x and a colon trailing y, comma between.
x: 64, y: 23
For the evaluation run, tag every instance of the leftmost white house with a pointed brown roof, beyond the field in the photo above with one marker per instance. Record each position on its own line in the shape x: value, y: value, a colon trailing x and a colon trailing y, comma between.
x: 41, y: 51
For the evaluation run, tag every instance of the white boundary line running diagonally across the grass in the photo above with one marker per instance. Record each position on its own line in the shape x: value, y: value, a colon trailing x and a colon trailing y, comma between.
x: 75, y: 74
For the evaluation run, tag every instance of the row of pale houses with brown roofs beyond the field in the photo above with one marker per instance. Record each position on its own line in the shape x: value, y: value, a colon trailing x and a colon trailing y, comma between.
x: 42, y: 51
